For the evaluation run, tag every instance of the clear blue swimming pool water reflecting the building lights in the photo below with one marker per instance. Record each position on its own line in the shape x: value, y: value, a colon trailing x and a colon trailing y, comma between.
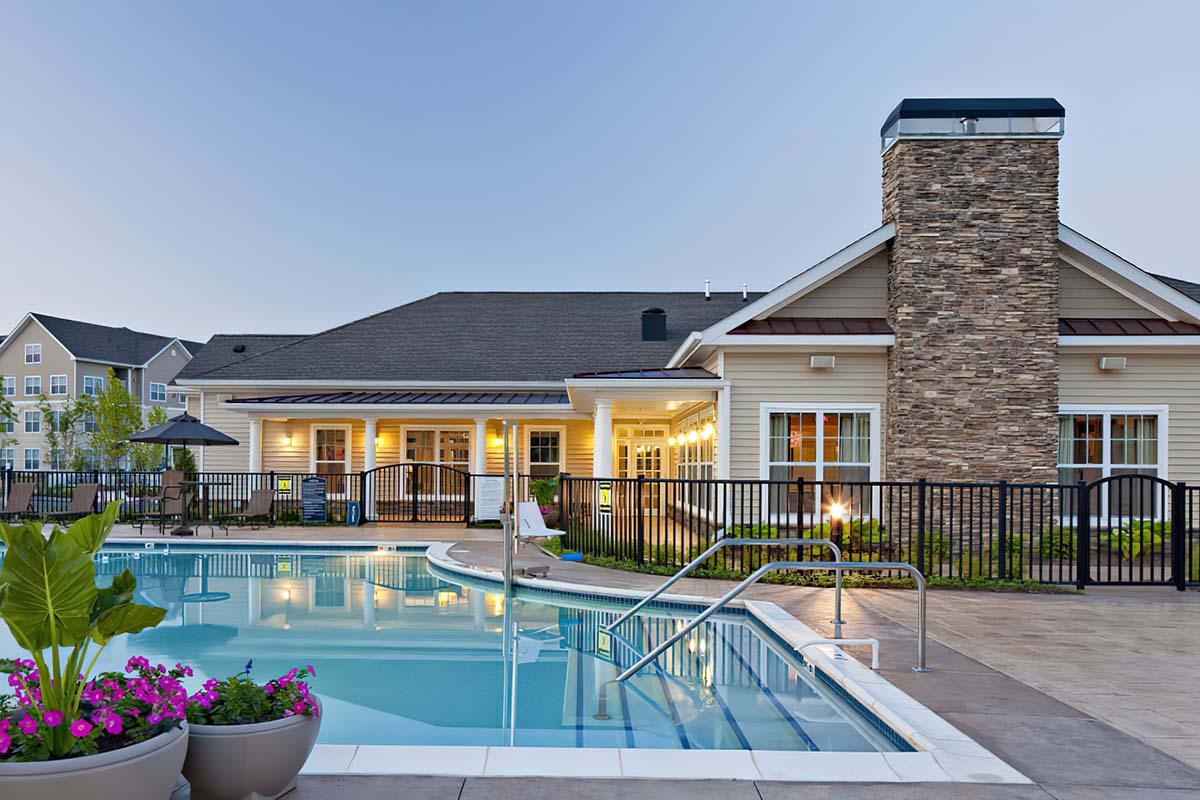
x: 405, y: 657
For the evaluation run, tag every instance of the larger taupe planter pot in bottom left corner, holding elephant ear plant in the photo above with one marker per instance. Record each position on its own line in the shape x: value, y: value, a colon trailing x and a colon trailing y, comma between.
x: 147, y: 771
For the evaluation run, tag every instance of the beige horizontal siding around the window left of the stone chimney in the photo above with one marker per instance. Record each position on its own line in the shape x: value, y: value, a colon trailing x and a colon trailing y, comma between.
x: 760, y: 378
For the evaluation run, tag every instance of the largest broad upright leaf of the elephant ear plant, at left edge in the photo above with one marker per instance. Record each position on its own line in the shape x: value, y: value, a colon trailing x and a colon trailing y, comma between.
x: 51, y: 588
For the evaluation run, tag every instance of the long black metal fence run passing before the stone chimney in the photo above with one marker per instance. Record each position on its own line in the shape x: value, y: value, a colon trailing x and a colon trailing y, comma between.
x: 1126, y: 530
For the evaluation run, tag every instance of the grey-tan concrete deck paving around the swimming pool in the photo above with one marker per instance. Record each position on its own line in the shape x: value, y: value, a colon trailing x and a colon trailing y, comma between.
x: 1060, y: 687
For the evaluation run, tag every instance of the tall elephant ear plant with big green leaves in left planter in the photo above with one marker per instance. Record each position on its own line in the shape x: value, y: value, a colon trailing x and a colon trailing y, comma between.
x: 55, y: 610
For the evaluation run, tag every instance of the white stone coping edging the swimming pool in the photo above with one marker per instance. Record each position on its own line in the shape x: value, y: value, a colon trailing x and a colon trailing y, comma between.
x: 944, y: 753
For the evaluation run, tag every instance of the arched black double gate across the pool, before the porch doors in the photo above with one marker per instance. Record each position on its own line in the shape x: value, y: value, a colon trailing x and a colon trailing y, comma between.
x: 417, y: 492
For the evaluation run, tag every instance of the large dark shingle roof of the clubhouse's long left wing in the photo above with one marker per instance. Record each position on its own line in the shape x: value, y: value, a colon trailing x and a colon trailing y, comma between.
x: 478, y: 336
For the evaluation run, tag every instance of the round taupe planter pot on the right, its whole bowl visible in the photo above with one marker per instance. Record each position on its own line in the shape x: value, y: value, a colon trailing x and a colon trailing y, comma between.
x: 250, y: 762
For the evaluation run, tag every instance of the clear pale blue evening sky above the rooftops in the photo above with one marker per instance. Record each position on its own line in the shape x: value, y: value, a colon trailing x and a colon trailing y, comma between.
x: 224, y: 167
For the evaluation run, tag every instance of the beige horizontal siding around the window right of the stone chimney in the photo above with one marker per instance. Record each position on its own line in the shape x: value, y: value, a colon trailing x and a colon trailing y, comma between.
x: 1149, y: 380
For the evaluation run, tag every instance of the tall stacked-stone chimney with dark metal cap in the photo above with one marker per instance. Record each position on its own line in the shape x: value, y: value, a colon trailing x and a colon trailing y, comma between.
x: 973, y: 189
